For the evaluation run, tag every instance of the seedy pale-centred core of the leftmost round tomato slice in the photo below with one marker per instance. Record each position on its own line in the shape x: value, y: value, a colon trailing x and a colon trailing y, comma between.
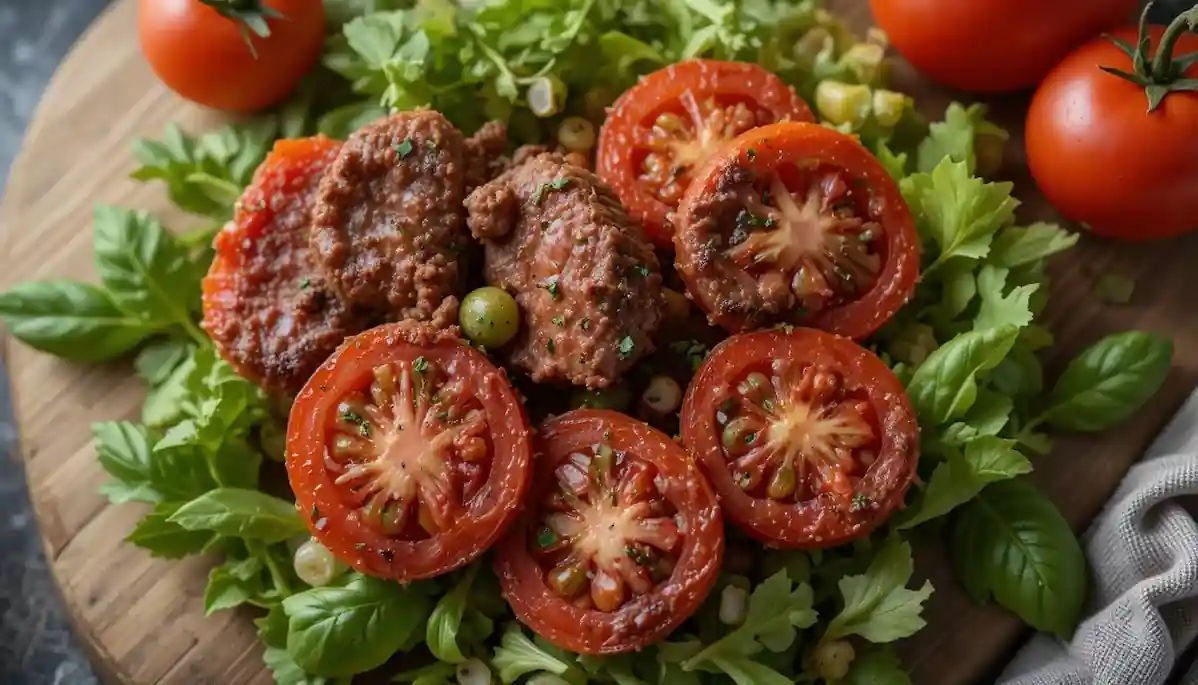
x: 412, y: 451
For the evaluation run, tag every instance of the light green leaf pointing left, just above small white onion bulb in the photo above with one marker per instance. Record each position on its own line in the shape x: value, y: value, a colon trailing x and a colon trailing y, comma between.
x: 241, y: 514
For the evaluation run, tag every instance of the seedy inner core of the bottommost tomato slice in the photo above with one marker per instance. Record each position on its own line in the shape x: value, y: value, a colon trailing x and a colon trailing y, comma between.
x: 607, y: 532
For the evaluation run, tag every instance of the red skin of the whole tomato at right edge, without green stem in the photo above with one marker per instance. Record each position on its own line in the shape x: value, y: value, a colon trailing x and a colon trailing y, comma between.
x: 1103, y: 160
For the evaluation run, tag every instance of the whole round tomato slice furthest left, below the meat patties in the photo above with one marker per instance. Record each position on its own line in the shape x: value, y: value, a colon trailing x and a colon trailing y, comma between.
x: 409, y: 453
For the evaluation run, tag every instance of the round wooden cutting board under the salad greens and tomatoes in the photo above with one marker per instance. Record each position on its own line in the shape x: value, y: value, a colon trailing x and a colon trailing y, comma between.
x: 142, y: 620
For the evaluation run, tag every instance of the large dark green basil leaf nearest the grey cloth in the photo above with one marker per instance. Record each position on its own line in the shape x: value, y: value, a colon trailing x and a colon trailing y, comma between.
x: 1012, y: 544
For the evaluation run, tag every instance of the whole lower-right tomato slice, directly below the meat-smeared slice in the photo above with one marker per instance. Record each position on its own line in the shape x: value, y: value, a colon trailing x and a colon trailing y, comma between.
x: 808, y: 438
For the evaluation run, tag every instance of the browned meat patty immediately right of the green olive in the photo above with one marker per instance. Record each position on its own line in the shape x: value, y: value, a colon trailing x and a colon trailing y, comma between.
x: 585, y: 277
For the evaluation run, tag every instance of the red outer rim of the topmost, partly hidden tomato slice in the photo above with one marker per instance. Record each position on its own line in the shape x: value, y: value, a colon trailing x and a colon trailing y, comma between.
x: 618, y: 146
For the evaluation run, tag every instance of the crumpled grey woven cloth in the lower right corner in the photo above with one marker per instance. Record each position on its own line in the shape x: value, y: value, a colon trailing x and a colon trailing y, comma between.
x: 1143, y: 554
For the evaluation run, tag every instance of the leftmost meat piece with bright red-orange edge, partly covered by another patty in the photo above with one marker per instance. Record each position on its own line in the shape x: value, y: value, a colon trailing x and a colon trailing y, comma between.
x: 267, y: 305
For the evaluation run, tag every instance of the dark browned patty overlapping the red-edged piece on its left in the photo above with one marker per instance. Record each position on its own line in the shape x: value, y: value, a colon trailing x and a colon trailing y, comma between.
x: 389, y: 226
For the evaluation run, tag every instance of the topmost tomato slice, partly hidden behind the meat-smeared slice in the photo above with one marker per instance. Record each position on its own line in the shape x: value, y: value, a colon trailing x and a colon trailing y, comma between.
x: 662, y: 130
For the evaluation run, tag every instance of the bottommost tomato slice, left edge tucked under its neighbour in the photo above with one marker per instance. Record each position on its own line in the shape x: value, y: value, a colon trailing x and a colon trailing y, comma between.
x: 622, y: 539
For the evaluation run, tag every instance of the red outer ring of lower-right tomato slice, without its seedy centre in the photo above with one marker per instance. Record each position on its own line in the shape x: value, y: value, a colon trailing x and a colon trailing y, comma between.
x: 807, y: 526
